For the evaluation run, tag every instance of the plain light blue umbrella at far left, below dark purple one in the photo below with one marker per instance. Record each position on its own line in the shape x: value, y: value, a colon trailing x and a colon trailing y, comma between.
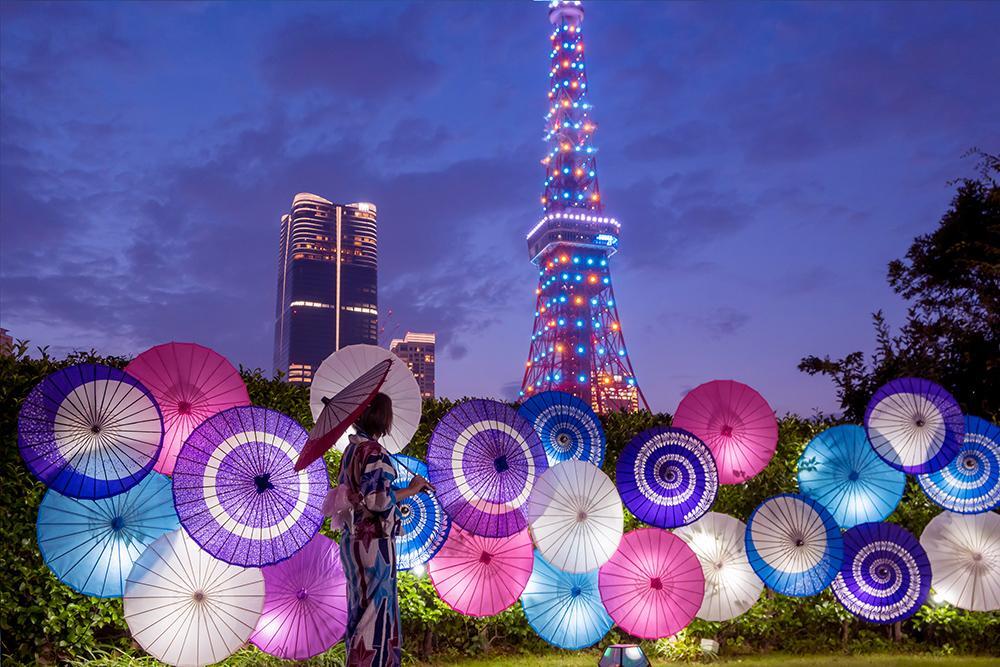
x: 90, y: 545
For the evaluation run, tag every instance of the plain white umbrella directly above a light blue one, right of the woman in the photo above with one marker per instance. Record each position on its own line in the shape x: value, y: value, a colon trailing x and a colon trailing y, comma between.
x: 576, y: 516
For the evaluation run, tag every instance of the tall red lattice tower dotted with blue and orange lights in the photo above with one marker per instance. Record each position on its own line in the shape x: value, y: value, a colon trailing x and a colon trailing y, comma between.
x: 577, y: 344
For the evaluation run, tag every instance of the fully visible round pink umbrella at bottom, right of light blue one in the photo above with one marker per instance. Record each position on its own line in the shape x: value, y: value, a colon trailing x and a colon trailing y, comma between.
x: 654, y: 585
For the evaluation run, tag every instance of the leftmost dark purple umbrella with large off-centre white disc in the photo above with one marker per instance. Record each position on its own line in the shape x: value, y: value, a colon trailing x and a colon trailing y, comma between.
x: 89, y: 431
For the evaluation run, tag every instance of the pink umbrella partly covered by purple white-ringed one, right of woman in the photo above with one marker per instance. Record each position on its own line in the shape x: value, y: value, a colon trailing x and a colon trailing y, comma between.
x: 482, y: 576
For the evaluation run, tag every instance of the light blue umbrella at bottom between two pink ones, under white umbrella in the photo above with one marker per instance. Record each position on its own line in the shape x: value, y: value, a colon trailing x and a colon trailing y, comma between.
x: 565, y: 609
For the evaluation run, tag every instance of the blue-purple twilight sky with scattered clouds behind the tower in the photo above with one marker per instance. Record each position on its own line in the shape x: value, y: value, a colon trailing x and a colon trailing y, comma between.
x: 766, y: 162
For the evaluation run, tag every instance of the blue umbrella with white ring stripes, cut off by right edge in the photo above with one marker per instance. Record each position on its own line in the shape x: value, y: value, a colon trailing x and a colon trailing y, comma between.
x: 970, y: 483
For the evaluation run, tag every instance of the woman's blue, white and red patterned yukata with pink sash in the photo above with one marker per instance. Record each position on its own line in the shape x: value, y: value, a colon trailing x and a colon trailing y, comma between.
x: 368, y: 553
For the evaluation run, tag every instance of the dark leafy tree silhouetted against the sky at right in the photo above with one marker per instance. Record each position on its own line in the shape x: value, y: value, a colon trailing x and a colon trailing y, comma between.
x: 951, y: 277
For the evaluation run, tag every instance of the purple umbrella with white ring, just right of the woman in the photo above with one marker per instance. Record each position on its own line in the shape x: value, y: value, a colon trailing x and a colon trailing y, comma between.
x: 483, y: 459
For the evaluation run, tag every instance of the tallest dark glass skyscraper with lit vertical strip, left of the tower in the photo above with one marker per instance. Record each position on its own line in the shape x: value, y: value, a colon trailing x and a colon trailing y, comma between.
x: 327, y: 283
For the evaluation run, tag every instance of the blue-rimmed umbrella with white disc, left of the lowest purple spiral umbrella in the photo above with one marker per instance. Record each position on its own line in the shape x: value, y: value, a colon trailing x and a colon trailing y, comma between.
x: 794, y: 544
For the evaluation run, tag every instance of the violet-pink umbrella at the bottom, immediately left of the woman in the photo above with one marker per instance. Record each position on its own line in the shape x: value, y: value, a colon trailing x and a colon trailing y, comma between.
x: 305, y: 603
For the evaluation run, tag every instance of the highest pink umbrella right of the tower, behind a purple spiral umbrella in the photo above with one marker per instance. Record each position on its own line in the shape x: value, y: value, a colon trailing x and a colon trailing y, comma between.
x: 735, y: 422
